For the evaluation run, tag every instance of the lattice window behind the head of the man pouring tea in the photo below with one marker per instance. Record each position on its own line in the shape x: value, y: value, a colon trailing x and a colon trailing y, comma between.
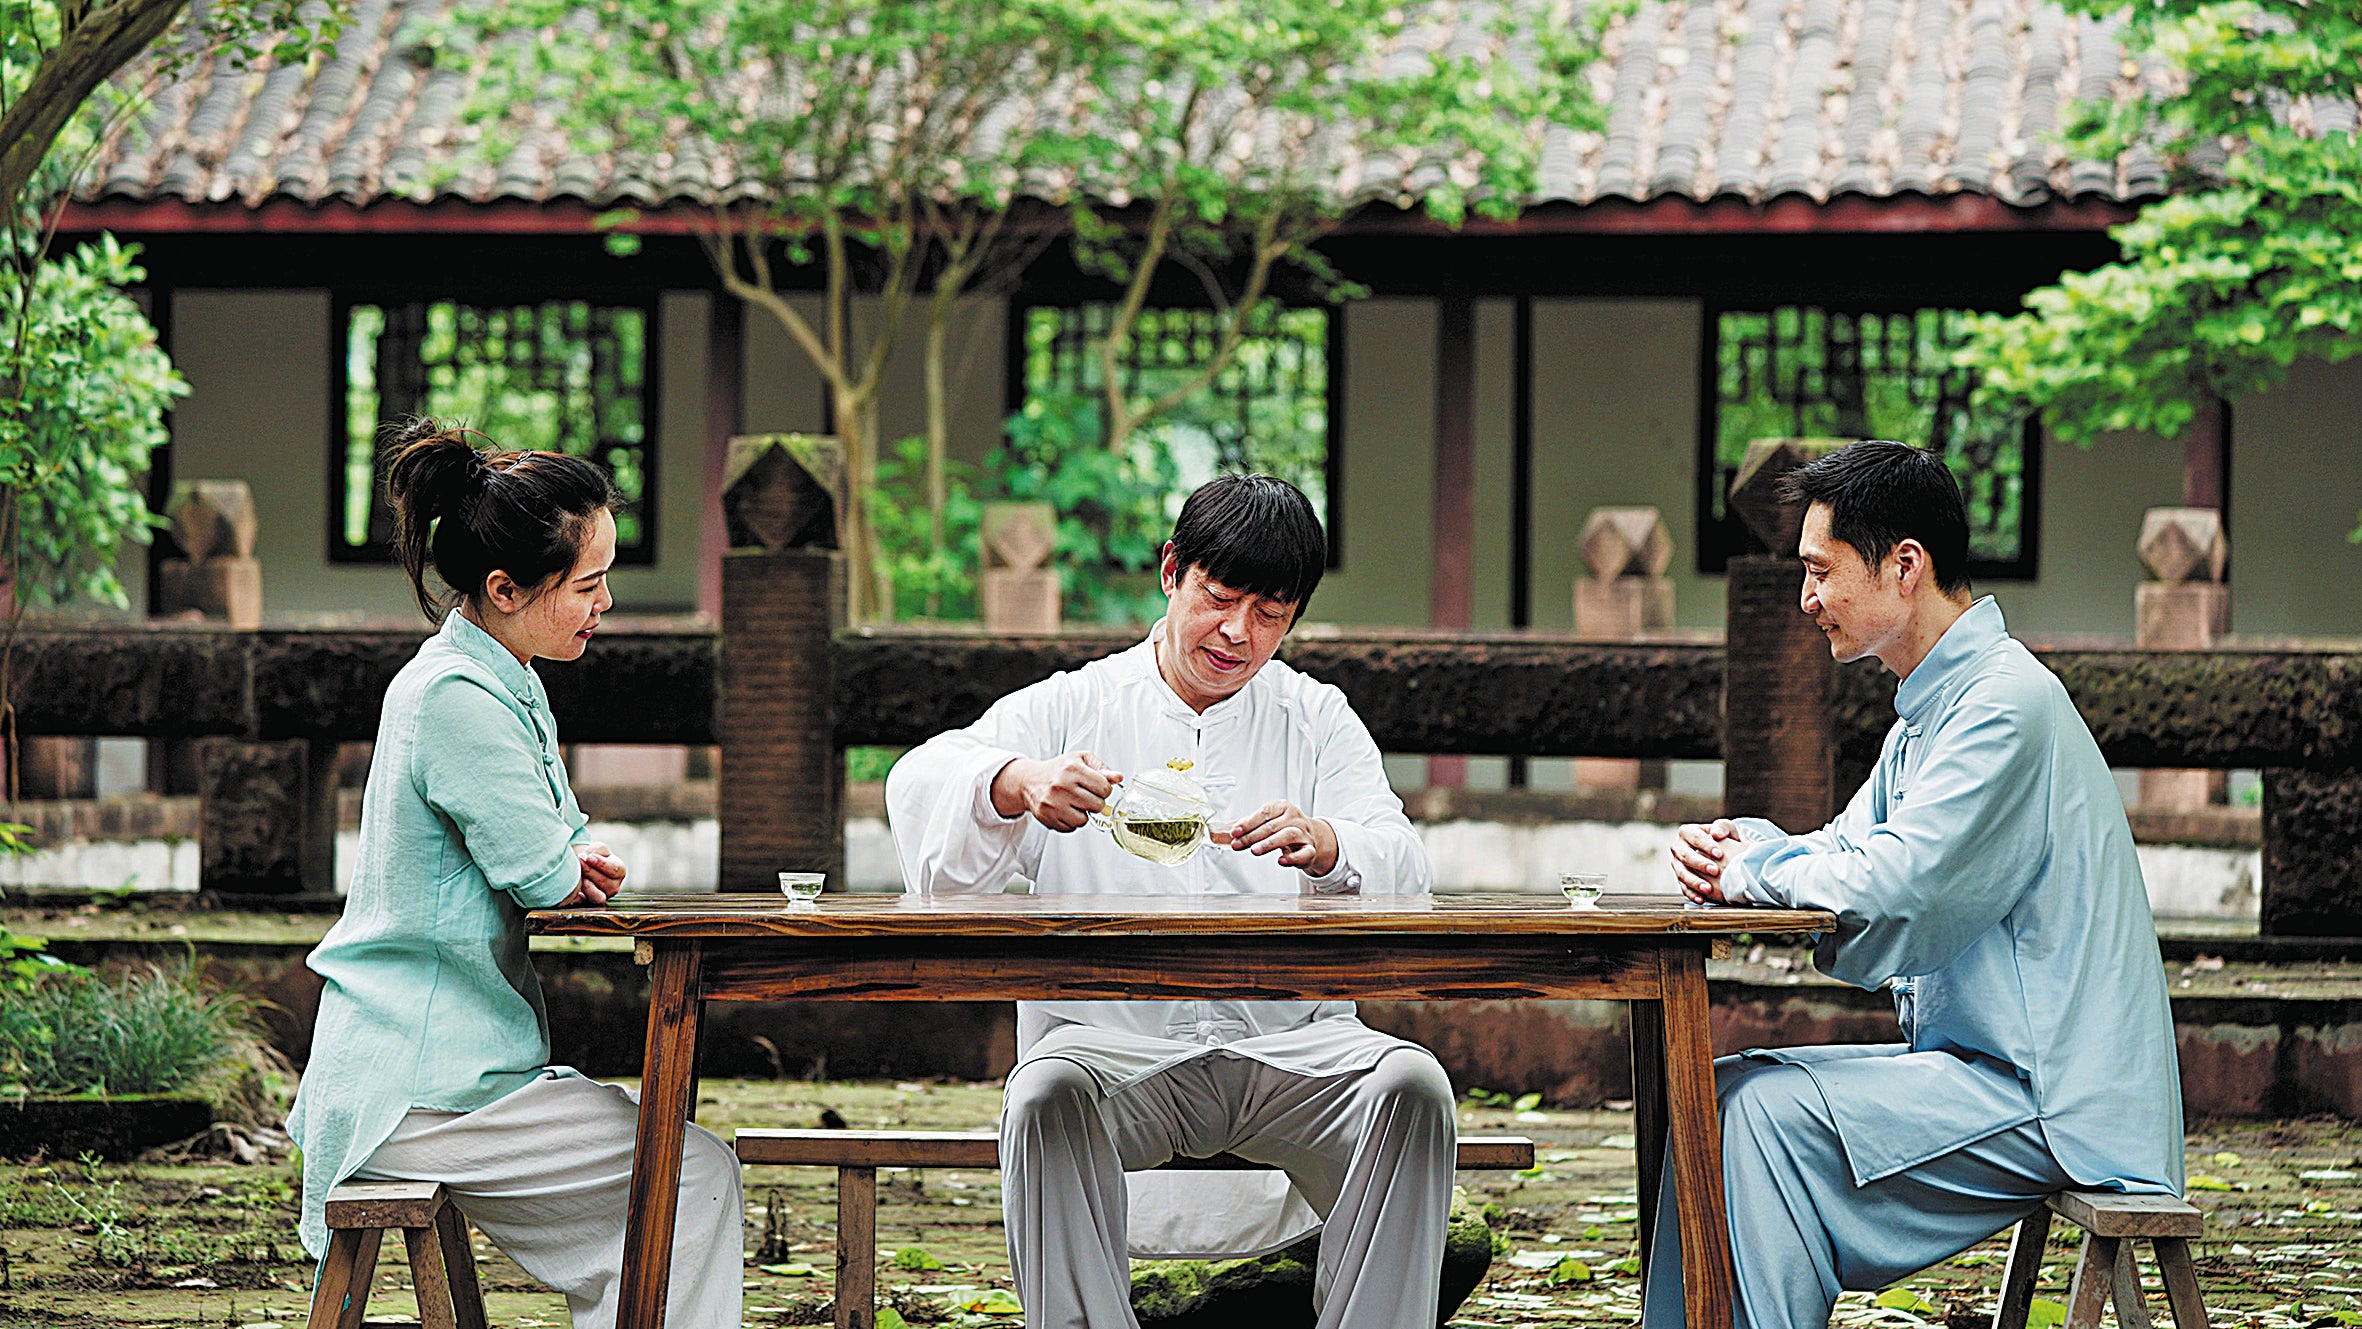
x: 1267, y: 412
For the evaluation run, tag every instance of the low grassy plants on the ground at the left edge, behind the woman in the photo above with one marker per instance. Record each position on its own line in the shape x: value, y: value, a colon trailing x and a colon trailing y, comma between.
x: 143, y: 1033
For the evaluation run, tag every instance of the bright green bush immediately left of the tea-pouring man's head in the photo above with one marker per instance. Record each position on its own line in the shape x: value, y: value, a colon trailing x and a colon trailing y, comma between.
x: 1114, y: 509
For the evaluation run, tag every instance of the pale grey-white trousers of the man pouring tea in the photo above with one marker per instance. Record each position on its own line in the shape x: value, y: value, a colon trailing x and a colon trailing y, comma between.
x: 1371, y: 1151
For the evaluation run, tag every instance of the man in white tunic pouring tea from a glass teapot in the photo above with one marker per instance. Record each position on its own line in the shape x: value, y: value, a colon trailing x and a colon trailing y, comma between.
x: 1357, y: 1122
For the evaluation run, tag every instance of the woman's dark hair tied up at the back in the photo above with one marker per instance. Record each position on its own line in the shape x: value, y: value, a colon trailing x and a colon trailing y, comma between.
x: 474, y: 511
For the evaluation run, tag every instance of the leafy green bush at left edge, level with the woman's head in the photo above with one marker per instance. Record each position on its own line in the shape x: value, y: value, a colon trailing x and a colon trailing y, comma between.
x: 84, y: 398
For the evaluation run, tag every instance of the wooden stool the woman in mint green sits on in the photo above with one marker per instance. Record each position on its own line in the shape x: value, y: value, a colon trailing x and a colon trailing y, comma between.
x: 436, y: 1233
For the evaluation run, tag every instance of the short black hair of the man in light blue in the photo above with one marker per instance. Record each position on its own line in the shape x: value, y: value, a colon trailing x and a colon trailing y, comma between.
x: 1884, y: 495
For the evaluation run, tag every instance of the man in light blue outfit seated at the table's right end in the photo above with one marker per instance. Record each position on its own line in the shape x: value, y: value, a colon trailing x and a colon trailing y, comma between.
x: 1988, y: 877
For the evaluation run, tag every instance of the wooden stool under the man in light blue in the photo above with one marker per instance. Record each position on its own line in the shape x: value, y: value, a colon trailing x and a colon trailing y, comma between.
x: 2113, y: 1224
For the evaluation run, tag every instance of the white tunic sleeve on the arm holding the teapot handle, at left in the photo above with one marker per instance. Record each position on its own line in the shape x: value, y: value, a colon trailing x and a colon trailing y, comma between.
x: 939, y: 797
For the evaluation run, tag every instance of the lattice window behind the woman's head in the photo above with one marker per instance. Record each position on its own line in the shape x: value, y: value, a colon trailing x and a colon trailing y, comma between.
x: 561, y: 377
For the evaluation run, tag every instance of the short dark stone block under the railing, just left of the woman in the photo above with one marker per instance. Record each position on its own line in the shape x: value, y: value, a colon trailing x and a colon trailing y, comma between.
x: 268, y: 818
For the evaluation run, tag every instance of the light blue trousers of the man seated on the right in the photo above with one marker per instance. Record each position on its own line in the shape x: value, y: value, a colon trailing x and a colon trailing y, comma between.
x: 1803, y: 1231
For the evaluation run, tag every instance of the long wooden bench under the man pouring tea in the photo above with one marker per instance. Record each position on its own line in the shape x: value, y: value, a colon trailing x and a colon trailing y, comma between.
x: 859, y: 1155
